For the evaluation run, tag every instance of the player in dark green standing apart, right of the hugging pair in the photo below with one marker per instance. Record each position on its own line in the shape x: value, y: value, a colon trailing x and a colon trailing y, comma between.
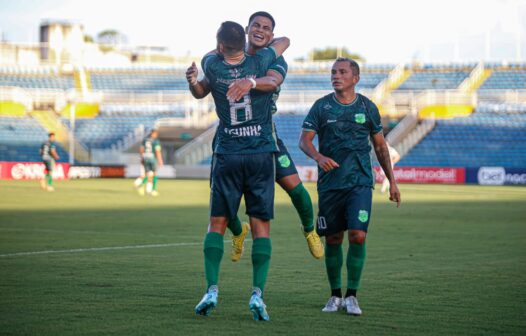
x: 346, y: 123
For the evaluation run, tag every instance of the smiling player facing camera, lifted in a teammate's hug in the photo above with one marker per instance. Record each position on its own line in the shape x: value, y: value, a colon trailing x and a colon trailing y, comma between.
x: 260, y: 32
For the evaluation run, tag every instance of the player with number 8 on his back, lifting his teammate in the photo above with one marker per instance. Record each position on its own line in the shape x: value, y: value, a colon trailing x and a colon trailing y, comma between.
x: 243, y: 162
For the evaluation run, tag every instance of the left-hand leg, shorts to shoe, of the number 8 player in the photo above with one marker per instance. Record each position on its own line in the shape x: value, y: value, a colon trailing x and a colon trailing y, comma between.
x: 225, y: 197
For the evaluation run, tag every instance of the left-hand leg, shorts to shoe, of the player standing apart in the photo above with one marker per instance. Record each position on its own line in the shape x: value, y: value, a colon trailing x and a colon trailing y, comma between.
x: 331, y: 224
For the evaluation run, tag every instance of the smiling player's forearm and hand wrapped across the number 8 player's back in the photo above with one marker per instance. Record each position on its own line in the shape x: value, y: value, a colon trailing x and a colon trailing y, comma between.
x: 268, y: 83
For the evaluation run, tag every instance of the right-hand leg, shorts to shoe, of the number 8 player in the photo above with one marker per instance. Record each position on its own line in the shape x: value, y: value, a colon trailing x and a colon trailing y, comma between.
x: 259, y: 200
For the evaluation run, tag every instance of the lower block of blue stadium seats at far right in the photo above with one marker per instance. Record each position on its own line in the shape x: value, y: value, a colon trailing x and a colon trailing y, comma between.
x: 495, y: 135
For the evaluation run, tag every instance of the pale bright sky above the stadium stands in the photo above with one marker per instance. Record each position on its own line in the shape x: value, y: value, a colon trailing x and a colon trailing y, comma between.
x: 381, y: 31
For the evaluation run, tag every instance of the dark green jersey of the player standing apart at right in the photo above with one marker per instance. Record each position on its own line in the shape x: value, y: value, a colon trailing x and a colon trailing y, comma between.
x: 344, y: 133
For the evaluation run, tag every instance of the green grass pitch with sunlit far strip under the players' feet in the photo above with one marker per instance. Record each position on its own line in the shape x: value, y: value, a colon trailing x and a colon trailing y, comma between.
x: 450, y: 261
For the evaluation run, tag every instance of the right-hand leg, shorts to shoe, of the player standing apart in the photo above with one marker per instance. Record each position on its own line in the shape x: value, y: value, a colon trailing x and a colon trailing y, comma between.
x: 358, y: 217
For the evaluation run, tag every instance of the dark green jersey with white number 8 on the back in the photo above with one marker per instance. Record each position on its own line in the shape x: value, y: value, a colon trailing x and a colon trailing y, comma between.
x: 245, y: 126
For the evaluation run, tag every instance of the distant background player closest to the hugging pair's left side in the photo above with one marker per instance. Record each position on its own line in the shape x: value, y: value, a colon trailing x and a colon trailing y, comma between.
x: 150, y: 151
